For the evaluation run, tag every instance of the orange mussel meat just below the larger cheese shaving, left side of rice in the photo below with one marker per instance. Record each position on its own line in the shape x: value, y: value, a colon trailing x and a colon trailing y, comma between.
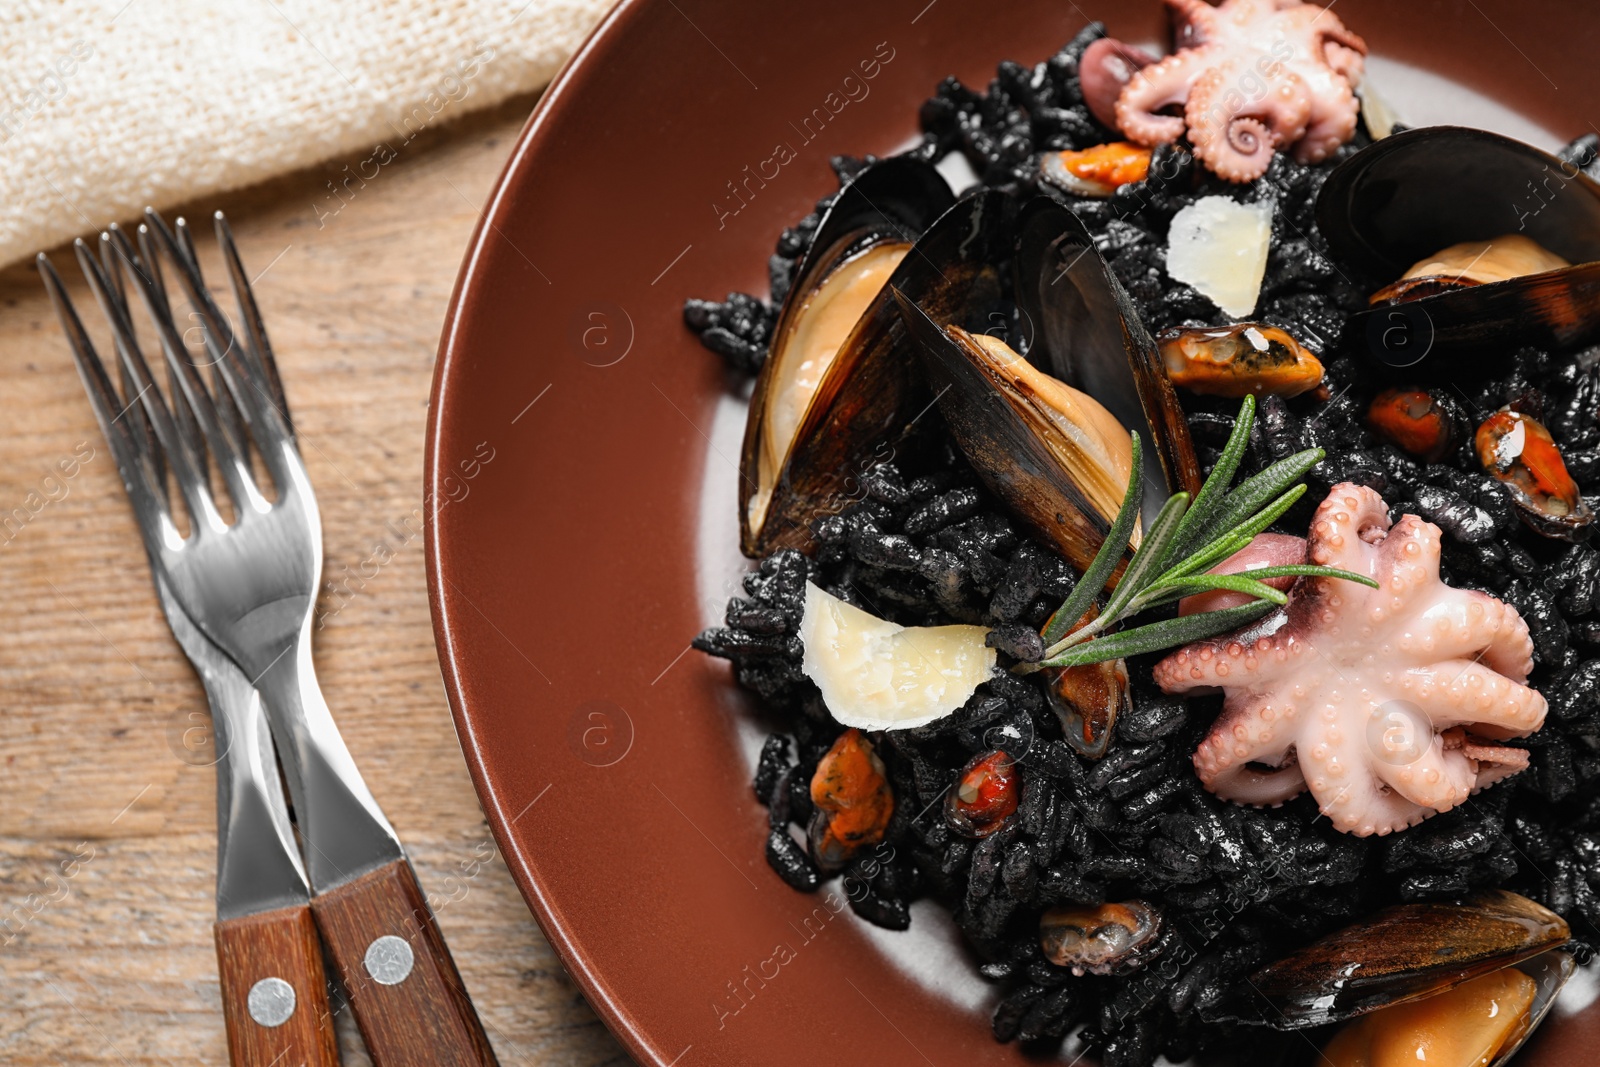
x: 854, y: 802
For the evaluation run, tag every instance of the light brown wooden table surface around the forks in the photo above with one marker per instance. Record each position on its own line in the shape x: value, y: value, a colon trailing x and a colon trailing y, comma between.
x: 108, y: 818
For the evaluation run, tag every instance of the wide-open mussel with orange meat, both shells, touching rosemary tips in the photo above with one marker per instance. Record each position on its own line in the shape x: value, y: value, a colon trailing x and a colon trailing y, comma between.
x: 1046, y: 425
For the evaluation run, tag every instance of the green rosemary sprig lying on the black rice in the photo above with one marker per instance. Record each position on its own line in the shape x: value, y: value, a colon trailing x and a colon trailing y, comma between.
x: 1186, y: 540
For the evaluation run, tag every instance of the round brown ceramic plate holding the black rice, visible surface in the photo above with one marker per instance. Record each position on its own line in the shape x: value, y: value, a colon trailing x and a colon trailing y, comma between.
x: 580, y: 462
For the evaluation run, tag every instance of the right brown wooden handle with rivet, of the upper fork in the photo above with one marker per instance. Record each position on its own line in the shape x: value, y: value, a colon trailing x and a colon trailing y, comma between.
x: 409, y: 1001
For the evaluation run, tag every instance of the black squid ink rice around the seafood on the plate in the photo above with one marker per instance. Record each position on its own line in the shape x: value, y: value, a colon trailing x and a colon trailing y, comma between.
x: 926, y: 543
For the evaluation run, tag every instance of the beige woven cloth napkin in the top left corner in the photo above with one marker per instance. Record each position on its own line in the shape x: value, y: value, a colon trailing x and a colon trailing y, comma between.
x: 113, y: 105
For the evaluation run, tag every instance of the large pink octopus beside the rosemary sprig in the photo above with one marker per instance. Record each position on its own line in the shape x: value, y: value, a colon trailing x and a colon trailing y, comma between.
x: 1383, y: 701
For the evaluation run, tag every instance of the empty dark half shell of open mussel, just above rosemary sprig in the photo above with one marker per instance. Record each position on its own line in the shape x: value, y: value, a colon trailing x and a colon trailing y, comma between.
x: 1079, y: 326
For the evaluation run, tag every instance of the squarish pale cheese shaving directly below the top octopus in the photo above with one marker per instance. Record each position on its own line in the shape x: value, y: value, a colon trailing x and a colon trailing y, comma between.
x: 1220, y: 247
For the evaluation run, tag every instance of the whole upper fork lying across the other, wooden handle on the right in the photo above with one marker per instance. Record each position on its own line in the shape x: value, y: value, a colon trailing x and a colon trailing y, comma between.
x: 250, y: 588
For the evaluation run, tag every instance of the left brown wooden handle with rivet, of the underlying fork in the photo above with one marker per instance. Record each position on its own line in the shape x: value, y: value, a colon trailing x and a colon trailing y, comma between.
x: 274, y: 991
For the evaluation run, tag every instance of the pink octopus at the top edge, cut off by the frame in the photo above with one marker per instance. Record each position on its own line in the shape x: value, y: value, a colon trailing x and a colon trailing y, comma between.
x: 1252, y: 78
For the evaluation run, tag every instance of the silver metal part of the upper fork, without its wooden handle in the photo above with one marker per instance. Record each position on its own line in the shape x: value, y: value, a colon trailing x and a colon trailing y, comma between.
x: 249, y: 585
